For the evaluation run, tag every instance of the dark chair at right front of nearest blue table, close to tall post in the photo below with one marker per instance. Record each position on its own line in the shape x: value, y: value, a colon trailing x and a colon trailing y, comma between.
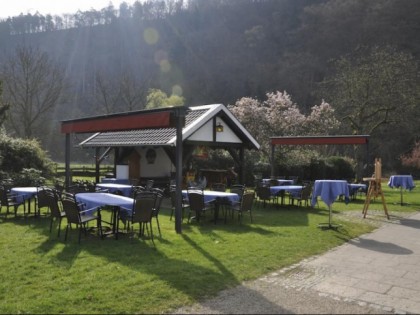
x: 142, y: 213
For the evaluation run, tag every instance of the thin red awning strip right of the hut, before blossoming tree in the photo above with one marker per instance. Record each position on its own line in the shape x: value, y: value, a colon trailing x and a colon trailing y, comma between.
x: 319, y: 140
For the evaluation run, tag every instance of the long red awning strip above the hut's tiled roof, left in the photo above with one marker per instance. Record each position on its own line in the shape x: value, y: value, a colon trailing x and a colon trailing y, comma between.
x: 118, y: 123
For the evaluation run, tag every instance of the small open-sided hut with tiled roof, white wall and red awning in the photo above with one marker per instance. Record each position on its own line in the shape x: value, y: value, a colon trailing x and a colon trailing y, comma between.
x: 159, y: 143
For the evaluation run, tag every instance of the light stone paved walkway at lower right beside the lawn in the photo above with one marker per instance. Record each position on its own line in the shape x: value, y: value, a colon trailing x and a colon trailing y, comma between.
x: 376, y: 273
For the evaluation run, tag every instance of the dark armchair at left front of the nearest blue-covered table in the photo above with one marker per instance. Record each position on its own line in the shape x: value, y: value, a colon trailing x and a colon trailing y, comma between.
x: 75, y: 215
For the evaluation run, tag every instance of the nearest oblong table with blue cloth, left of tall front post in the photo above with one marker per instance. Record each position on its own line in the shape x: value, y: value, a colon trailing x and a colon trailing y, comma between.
x: 95, y: 200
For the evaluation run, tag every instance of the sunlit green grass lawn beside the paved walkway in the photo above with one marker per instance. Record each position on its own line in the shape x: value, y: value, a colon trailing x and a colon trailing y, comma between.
x: 42, y: 274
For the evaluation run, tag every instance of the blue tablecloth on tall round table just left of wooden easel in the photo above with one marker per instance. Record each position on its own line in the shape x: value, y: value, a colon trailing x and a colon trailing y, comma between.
x: 329, y: 190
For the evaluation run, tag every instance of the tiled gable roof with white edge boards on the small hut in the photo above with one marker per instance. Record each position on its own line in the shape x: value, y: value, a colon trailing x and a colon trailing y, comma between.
x: 196, y: 118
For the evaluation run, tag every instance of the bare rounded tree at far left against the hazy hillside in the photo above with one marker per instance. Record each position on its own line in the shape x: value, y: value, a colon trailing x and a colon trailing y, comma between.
x: 33, y: 86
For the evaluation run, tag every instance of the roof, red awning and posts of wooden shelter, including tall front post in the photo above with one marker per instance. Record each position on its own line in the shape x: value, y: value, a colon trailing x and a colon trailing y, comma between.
x: 174, y: 128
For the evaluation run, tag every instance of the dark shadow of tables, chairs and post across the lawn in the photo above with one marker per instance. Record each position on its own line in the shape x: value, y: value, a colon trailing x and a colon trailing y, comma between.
x: 196, y: 272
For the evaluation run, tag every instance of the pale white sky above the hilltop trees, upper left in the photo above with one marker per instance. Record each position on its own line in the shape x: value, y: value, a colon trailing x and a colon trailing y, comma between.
x: 53, y: 7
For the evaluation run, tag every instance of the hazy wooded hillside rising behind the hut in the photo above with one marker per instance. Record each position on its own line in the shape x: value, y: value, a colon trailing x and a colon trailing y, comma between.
x: 219, y: 51
